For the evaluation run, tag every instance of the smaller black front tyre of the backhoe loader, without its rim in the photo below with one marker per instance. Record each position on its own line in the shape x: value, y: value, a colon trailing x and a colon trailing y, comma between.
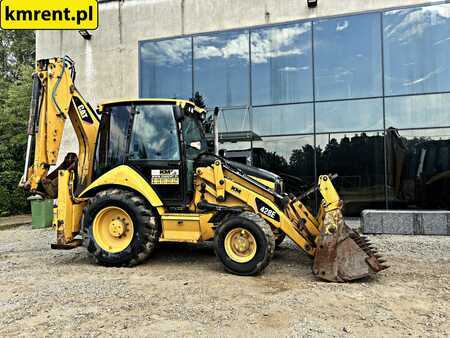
x: 264, y: 238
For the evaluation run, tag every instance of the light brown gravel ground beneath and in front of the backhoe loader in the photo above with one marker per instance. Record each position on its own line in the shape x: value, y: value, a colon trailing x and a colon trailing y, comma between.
x: 183, y: 291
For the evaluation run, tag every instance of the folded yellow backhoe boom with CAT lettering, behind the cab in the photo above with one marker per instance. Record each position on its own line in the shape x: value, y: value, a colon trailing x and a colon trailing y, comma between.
x: 54, y: 99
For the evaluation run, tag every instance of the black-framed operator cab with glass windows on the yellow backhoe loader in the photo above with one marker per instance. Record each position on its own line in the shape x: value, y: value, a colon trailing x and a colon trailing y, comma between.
x: 158, y: 138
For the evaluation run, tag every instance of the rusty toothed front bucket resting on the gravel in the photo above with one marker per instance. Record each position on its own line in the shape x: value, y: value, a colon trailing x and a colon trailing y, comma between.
x: 342, y: 255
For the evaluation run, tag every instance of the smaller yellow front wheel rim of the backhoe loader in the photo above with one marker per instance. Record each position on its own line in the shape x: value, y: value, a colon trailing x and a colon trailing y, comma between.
x: 240, y: 245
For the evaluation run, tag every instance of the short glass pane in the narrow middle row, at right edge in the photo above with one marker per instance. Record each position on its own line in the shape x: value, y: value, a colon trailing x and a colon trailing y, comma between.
x: 418, y: 111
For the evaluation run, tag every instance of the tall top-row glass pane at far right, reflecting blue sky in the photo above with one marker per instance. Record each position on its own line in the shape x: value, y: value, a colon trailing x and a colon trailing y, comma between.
x: 417, y: 50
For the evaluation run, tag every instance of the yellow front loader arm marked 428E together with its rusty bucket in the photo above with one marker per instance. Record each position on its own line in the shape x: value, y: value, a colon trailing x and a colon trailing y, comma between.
x: 339, y: 253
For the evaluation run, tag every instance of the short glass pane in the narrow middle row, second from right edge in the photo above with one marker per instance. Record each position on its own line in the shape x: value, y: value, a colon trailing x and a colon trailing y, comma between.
x: 349, y: 115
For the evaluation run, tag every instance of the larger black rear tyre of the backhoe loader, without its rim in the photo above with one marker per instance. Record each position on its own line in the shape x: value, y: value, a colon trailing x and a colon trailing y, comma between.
x: 145, y: 228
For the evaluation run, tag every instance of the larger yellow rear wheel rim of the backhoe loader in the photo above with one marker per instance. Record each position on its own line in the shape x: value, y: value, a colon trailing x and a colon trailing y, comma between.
x: 113, y: 229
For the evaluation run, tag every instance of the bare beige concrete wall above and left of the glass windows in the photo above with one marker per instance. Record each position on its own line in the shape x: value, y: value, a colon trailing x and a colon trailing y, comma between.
x: 107, y: 65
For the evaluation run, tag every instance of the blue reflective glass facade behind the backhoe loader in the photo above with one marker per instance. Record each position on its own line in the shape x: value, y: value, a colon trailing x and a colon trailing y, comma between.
x: 366, y: 96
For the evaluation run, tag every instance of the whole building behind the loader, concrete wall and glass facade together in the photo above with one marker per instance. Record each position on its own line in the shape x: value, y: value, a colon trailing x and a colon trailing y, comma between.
x: 344, y: 83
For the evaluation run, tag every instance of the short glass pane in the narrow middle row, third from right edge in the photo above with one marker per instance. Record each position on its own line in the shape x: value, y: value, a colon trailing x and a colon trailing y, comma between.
x: 284, y: 119
